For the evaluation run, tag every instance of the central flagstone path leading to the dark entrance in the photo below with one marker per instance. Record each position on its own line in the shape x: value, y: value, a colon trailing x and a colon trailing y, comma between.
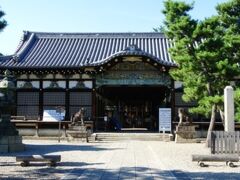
x: 125, y: 160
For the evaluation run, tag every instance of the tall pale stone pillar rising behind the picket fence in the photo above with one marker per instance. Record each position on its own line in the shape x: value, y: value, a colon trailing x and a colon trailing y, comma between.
x: 229, y: 109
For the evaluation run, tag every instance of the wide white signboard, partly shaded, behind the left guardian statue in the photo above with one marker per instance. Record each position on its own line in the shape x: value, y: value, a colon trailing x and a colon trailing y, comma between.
x: 53, y: 115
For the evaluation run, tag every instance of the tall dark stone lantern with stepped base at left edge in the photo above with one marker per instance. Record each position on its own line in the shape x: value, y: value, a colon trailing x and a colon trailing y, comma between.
x: 10, y: 141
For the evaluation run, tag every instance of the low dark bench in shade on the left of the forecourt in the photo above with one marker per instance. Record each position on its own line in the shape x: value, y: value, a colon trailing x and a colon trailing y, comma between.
x: 50, y: 159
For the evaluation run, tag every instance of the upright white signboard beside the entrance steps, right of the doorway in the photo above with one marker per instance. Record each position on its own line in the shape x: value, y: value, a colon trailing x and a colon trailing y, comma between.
x: 165, y: 119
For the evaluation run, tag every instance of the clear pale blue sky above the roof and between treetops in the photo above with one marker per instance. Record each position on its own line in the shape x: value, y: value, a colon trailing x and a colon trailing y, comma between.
x: 86, y: 16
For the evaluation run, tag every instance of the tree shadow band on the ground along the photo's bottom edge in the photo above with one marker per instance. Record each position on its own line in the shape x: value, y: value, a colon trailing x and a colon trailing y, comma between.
x: 83, y: 172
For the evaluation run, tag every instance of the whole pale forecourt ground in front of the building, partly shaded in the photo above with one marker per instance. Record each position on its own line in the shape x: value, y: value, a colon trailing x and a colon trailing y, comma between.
x: 116, y: 160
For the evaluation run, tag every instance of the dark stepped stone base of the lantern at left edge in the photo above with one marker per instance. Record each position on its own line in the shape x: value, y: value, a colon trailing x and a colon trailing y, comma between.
x: 10, y: 141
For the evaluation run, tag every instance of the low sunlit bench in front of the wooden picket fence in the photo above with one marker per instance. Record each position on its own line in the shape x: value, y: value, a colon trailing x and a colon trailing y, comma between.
x: 228, y: 158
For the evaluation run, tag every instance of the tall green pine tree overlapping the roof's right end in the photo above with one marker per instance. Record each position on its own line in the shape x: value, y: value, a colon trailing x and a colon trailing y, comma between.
x: 205, y: 54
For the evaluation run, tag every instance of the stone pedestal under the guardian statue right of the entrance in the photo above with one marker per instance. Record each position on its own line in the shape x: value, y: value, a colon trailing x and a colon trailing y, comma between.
x: 185, y: 133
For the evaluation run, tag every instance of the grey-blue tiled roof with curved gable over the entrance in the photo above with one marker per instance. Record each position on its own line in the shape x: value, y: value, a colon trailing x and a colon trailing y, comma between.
x: 71, y: 50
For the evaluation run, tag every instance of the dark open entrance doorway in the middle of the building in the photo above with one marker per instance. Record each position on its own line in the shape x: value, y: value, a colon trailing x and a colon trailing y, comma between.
x: 134, y: 107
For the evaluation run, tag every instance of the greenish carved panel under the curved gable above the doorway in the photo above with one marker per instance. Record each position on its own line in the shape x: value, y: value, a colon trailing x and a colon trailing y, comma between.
x: 133, y: 74
